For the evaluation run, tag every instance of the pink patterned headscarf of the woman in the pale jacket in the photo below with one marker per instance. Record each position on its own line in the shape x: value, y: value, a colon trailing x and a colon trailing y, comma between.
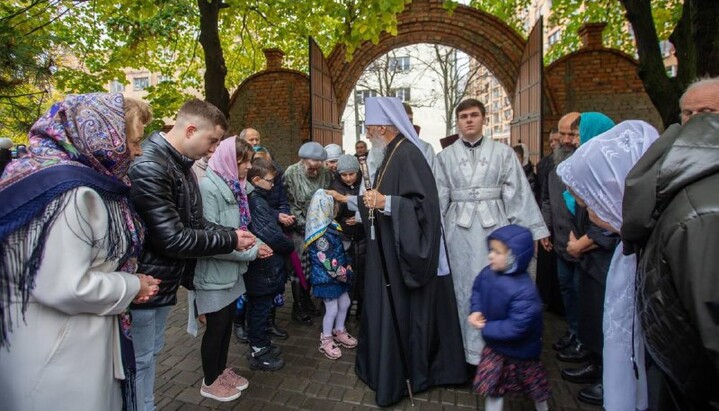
x: 224, y: 163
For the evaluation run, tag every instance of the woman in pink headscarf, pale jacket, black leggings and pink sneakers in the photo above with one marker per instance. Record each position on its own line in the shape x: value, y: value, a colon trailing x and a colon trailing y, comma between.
x: 218, y: 280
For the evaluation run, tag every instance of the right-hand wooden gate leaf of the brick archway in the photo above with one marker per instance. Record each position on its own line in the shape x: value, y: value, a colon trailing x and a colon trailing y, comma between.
x: 526, y: 127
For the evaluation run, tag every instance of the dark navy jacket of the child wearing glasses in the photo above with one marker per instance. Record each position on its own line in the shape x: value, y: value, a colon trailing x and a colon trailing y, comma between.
x: 266, y: 276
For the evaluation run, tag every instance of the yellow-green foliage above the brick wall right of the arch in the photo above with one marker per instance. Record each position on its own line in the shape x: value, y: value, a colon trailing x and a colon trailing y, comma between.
x: 573, y: 13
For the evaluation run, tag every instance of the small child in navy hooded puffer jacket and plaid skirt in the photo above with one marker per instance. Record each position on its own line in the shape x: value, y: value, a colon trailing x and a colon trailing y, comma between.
x: 507, y: 308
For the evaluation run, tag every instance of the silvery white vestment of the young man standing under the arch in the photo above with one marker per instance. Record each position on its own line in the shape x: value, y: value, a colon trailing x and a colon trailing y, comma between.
x: 480, y: 189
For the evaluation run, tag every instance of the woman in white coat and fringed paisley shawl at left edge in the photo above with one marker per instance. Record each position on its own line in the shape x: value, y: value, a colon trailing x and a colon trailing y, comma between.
x: 70, y: 241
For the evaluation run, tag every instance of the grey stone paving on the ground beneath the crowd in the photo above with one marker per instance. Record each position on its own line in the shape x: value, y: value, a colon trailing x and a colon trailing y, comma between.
x: 309, y: 381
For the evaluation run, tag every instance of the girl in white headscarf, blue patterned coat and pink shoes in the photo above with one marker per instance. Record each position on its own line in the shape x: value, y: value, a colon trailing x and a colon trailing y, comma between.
x: 330, y: 273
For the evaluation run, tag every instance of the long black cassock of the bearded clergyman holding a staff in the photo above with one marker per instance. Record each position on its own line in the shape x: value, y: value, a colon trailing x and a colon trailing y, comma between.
x: 425, y: 303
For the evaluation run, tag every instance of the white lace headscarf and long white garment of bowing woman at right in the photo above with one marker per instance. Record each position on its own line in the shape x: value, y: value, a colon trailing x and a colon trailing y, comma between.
x: 595, y: 175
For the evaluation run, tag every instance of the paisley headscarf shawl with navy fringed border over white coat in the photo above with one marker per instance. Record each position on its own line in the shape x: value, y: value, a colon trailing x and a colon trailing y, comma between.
x: 80, y: 141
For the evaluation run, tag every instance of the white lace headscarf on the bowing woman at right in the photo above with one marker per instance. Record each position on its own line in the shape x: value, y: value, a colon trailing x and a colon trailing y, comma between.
x: 597, y: 170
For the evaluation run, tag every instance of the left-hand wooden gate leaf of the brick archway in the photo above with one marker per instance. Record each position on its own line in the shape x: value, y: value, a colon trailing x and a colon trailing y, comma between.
x: 325, y: 127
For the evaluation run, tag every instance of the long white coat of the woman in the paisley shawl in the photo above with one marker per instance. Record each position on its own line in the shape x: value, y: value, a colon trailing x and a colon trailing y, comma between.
x: 66, y: 355
